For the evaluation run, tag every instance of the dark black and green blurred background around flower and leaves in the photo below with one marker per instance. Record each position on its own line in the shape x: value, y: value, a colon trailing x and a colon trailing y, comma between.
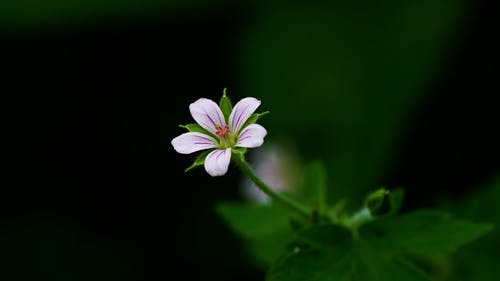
x: 385, y: 93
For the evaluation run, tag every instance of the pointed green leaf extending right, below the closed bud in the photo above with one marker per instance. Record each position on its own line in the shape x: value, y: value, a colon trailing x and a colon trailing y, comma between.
x: 421, y: 232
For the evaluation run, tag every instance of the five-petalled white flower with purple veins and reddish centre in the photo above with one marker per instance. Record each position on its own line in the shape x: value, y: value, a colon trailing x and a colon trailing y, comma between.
x: 220, y: 136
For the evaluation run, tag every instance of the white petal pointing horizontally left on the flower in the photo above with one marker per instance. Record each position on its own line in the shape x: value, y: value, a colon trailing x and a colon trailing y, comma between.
x: 192, y: 142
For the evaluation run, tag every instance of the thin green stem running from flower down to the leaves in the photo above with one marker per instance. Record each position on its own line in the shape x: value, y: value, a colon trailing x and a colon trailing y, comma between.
x: 281, y: 198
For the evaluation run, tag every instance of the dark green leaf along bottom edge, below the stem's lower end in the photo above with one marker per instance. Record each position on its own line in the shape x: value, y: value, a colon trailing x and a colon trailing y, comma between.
x: 331, y: 254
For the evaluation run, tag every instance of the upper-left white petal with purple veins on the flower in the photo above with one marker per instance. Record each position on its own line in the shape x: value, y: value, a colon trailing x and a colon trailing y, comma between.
x: 207, y: 113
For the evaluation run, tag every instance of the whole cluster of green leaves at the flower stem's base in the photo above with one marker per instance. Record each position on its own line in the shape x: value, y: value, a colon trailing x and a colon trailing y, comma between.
x: 315, y: 249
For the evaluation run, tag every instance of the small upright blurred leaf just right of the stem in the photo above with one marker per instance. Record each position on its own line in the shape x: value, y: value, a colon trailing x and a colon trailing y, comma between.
x: 315, y: 189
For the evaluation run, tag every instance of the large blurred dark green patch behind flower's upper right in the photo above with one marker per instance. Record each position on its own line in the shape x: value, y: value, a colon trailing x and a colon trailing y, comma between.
x: 342, y: 77
